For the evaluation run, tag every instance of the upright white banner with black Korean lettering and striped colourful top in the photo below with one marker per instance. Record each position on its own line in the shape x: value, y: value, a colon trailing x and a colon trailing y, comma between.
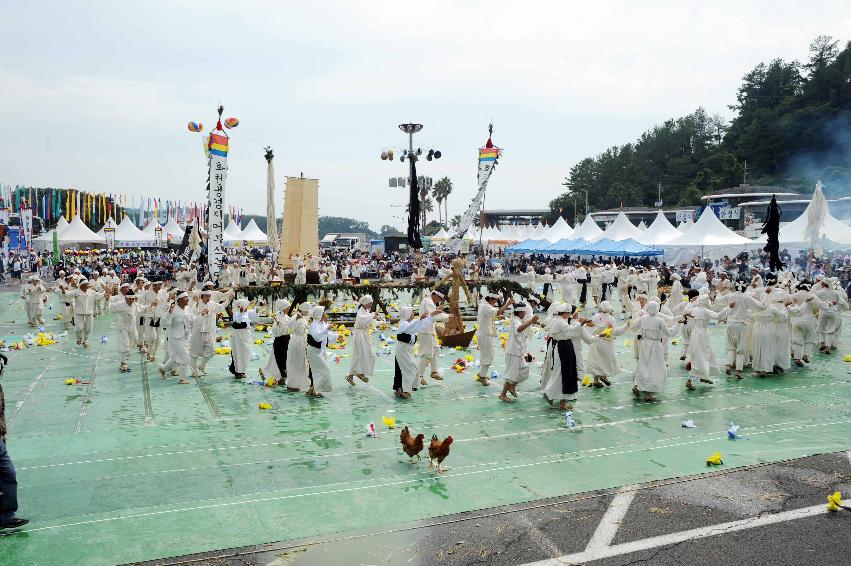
x: 216, y: 200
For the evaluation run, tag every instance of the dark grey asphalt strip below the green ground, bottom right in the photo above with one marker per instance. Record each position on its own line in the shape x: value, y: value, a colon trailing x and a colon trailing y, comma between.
x: 737, y: 502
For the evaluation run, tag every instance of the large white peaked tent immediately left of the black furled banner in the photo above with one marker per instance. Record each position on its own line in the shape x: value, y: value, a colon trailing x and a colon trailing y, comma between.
x: 708, y: 238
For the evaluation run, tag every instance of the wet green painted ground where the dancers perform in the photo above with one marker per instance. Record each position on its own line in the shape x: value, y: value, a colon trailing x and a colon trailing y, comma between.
x: 131, y: 467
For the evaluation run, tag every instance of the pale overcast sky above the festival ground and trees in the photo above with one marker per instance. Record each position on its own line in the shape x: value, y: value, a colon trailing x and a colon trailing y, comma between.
x: 96, y: 95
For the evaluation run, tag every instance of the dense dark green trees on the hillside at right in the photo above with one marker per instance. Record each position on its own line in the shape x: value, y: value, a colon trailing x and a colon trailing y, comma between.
x: 792, y: 127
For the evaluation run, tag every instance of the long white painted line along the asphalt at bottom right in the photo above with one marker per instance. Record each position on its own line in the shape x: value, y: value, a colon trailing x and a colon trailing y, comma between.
x: 590, y: 555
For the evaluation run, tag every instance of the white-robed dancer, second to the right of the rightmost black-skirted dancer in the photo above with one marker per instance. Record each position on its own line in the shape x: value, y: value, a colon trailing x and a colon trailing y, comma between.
x: 651, y: 372
